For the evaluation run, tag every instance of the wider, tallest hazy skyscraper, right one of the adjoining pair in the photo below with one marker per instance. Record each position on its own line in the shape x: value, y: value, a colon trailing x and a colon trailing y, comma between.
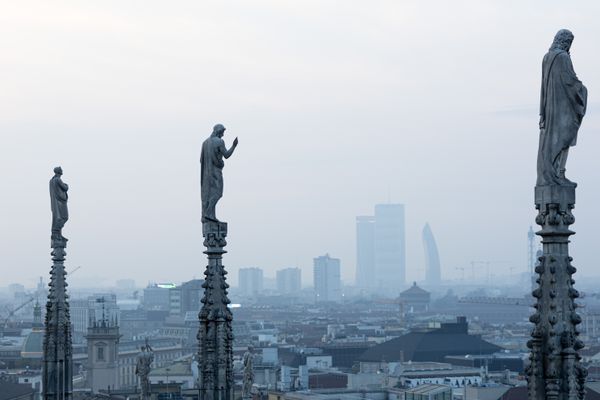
x: 390, y: 246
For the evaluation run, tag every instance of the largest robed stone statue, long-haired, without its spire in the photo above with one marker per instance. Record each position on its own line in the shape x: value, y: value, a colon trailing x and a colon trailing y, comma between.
x: 562, y: 107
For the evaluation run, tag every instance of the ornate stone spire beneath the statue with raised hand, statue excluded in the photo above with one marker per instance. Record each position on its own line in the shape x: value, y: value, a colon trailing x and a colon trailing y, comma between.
x: 215, y: 335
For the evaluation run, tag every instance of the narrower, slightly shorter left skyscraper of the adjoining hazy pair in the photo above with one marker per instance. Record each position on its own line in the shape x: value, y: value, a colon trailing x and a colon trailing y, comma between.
x: 365, y: 252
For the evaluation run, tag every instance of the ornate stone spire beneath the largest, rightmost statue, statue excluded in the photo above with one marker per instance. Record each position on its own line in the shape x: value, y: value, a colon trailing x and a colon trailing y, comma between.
x: 554, y: 371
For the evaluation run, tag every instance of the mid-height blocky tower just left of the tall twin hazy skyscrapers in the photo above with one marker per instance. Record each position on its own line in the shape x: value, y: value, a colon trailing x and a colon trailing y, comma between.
x: 327, y: 281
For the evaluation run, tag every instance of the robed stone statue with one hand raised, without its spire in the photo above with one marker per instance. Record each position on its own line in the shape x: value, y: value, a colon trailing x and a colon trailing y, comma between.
x: 211, y: 171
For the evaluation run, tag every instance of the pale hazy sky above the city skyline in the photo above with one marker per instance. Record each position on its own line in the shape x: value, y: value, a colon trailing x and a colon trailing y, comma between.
x: 338, y: 105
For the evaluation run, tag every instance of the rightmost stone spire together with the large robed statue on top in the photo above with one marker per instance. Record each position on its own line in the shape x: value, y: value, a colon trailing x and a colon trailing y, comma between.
x: 554, y: 370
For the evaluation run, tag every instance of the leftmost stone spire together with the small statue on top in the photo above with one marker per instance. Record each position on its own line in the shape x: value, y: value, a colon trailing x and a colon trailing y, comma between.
x: 57, y: 363
